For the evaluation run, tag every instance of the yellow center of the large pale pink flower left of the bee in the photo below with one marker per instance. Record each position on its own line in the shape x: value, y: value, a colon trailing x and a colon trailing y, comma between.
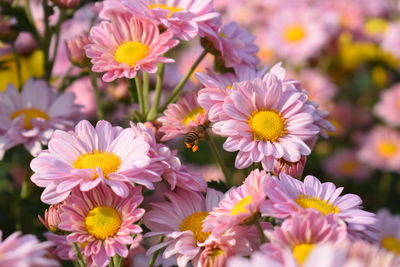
x: 107, y: 162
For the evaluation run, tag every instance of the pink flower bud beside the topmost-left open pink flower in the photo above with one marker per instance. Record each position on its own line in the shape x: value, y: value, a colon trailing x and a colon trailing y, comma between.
x: 76, y: 51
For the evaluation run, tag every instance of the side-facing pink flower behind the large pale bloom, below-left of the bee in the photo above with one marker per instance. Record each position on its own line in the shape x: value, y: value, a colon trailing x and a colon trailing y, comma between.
x: 167, y: 165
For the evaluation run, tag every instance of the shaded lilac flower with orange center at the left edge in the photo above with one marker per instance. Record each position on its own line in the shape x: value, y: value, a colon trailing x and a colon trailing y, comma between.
x: 30, y: 117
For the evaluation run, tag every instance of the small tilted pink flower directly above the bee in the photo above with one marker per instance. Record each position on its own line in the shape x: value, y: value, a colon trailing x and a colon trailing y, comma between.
x: 182, y: 117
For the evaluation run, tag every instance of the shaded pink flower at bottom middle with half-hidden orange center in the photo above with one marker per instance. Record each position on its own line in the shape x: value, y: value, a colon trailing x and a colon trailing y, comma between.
x: 180, y: 220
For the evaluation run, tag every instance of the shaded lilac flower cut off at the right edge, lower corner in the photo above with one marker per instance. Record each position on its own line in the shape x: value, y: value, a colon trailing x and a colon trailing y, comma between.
x: 388, y: 226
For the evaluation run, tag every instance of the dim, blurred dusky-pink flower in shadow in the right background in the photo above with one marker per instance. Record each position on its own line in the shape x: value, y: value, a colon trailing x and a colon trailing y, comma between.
x: 345, y: 164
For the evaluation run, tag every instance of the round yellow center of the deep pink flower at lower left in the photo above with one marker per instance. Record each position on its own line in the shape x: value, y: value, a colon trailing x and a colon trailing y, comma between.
x: 102, y: 222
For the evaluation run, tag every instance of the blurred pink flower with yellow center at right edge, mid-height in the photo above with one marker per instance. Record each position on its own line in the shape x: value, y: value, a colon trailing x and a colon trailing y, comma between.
x: 381, y: 149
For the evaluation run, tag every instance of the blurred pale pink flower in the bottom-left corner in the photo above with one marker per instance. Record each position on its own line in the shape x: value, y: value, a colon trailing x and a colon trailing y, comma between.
x: 24, y: 250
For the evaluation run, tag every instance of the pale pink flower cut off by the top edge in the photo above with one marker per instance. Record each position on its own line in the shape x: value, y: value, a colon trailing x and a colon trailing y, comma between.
x: 183, y: 18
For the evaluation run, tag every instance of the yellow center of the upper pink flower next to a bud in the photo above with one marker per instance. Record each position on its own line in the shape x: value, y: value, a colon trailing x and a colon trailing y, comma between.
x: 131, y: 52
